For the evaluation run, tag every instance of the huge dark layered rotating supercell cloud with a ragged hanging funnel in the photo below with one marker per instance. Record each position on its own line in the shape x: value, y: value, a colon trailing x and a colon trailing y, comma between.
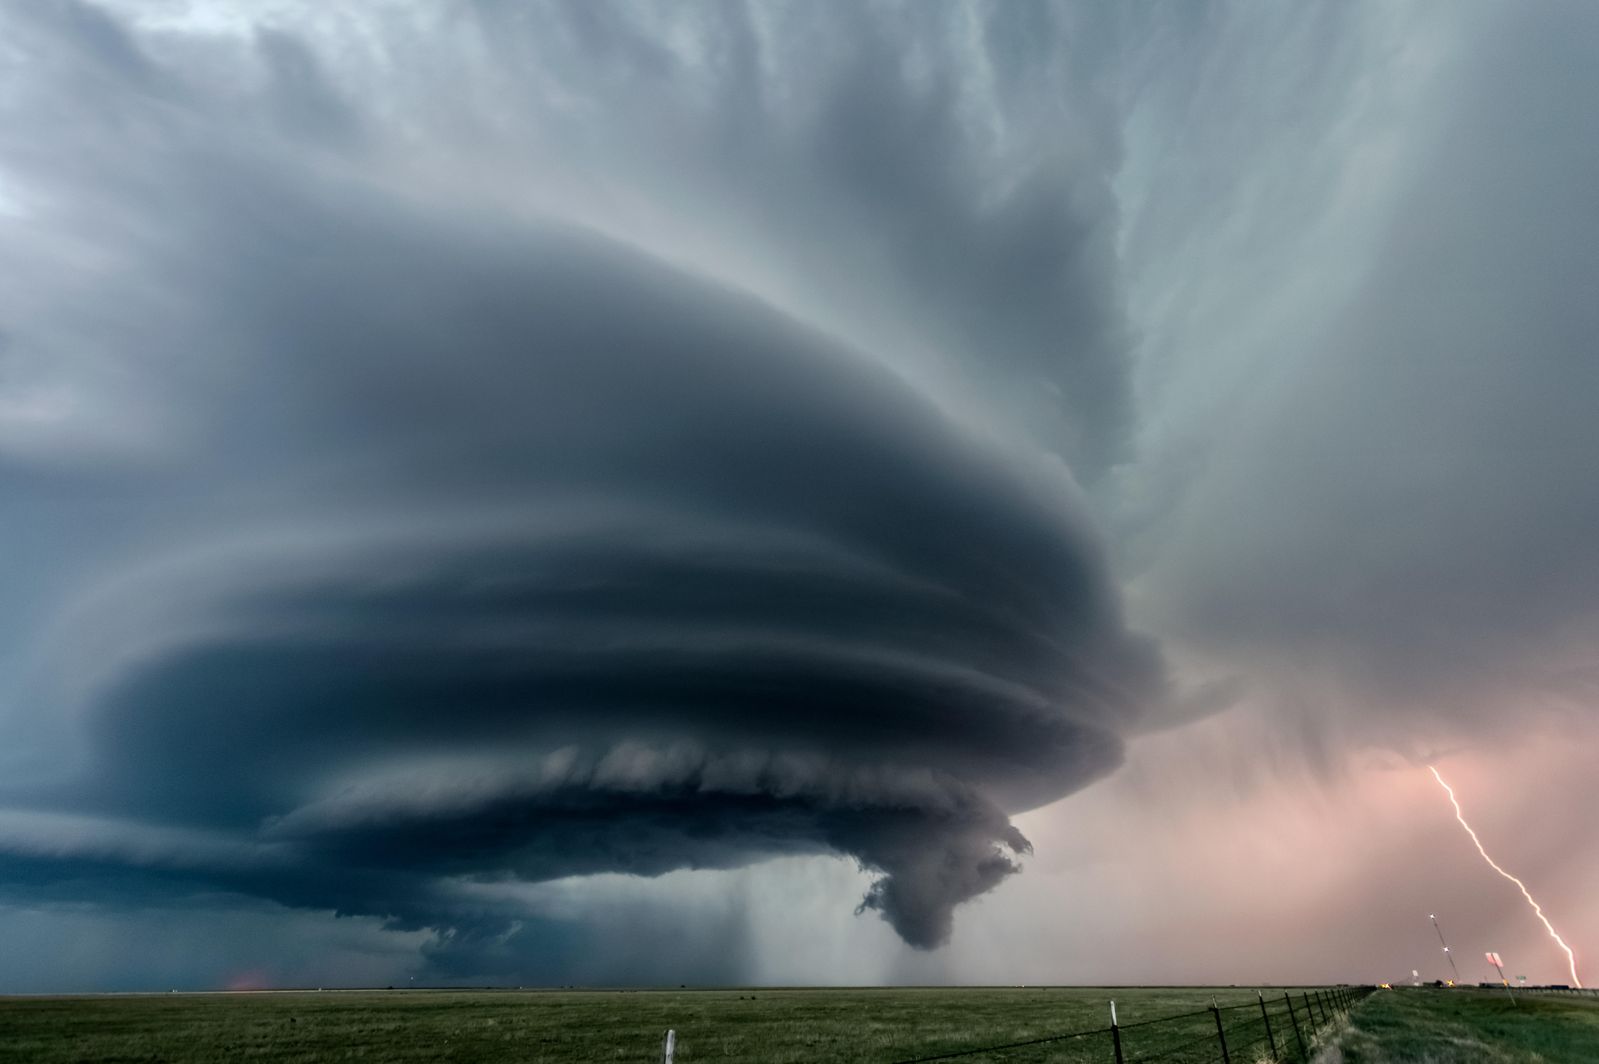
x: 450, y: 543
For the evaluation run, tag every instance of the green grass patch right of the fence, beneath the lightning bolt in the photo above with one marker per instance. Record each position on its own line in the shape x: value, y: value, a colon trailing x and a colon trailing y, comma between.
x: 1422, y: 1026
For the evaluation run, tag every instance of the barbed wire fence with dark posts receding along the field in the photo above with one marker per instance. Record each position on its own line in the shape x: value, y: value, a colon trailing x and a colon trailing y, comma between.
x: 1283, y: 1028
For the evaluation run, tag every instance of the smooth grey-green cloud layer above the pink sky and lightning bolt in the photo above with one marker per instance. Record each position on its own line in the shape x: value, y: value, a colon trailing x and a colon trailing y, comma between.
x: 1395, y: 529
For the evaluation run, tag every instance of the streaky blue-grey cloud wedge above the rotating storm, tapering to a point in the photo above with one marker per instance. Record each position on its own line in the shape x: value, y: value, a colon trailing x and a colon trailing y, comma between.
x: 952, y: 162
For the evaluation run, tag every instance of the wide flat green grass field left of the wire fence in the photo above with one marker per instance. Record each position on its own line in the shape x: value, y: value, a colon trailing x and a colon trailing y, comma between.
x: 866, y: 1026
